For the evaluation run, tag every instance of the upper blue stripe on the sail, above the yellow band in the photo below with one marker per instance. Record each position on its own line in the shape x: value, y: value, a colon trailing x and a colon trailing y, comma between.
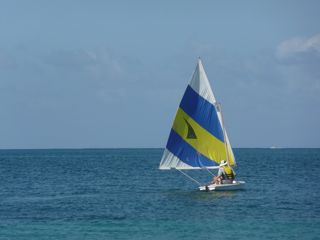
x: 202, y: 111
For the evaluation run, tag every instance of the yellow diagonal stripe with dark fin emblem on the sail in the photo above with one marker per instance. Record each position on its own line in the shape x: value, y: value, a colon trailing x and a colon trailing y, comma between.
x: 200, y: 139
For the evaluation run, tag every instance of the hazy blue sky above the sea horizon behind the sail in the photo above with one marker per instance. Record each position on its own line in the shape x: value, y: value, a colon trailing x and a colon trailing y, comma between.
x: 108, y: 74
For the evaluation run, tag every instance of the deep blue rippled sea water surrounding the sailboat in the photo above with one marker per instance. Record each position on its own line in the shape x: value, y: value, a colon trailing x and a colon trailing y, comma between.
x: 121, y: 194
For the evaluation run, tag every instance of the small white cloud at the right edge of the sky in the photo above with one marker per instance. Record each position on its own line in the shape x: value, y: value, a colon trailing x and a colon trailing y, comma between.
x: 298, y: 45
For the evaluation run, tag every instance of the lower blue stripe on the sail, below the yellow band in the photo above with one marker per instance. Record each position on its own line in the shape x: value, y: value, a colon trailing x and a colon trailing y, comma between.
x: 187, y: 153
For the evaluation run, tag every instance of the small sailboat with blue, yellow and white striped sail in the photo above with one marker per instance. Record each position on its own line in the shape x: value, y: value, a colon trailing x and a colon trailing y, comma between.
x: 198, y: 138
